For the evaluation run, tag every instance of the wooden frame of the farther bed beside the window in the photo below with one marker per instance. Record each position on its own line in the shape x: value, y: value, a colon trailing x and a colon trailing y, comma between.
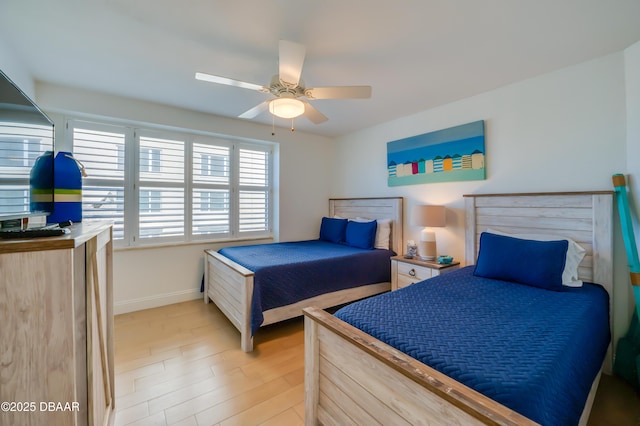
x: 230, y: 285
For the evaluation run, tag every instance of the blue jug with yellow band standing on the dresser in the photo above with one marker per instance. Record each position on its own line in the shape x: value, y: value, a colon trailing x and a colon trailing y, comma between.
x: 67, y: 189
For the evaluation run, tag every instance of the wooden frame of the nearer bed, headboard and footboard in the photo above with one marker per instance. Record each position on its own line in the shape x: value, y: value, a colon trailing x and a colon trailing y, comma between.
x: 353, y: 378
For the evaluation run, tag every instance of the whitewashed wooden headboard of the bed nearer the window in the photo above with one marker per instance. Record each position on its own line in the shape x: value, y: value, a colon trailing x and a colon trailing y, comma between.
x: 373, y: 208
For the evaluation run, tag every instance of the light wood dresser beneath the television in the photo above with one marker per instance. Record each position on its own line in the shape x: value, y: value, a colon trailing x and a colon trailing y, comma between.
x: 56, y: 328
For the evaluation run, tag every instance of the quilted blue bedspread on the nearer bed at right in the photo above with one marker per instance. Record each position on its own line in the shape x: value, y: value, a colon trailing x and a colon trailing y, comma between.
x: 535, y: 351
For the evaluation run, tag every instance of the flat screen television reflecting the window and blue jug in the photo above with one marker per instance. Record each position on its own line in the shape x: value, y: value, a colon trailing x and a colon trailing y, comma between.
x: 26, y: 156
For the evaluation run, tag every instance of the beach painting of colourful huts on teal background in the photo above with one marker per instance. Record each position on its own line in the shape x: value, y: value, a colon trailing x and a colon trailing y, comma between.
x: 448, y: 155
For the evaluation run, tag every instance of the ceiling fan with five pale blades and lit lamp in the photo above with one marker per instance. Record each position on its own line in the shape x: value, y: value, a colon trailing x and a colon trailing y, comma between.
x: 288, y: 88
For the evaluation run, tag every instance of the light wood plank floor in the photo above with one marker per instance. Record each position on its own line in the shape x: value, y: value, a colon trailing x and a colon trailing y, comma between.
x: 182, y: 365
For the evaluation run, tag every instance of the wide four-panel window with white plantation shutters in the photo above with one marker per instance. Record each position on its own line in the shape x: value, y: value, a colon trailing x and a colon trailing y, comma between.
x: 164, y: 187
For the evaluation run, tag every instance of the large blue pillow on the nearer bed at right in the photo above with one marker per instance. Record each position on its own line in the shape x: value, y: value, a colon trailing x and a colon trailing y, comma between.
x: 535, y: 263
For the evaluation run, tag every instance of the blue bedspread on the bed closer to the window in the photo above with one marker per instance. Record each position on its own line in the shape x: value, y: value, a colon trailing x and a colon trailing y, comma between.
x: 286, y: 273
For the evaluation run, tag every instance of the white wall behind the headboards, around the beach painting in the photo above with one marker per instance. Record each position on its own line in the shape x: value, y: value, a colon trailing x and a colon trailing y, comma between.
x: 563, y: 131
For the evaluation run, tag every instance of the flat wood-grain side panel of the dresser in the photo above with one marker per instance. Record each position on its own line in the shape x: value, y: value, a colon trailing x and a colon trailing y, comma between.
x: 36, y: 307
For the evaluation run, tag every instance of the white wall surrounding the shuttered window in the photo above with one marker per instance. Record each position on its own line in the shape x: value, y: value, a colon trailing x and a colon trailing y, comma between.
x: 148, y: 277
